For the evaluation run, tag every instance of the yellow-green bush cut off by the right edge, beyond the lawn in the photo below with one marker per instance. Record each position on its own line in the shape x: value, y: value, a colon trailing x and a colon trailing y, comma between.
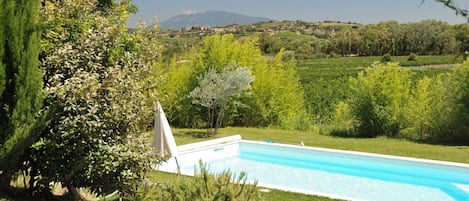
x: 438, y: 109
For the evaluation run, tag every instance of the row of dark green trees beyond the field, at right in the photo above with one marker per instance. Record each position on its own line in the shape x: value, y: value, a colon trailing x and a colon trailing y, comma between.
x: 428, y: 37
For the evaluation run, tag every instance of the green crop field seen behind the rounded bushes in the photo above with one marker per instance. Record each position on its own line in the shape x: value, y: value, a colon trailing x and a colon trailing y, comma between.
x: 325, y: 80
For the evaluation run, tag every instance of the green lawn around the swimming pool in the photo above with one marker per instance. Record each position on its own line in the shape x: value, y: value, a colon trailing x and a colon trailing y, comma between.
x: 381, y: 145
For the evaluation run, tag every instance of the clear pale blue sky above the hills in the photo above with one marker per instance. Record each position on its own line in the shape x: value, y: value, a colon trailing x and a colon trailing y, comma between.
x: 361, y: 11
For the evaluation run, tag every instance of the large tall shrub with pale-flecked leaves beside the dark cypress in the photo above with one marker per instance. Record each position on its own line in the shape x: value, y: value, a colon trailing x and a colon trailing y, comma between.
x: 98, y: 79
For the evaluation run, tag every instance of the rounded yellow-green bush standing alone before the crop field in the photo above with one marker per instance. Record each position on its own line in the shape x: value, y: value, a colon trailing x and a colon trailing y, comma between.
x: 378, y: 96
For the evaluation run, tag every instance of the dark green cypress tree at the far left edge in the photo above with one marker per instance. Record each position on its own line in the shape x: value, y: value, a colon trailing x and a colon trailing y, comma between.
x: 21, y: 93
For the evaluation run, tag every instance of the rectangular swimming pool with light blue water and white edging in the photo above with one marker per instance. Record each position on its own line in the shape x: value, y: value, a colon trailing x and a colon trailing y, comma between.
x: 333, y: 173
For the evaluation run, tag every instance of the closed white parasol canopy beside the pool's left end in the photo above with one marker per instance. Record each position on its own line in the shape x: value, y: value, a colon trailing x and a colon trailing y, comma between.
x: 163, y: 139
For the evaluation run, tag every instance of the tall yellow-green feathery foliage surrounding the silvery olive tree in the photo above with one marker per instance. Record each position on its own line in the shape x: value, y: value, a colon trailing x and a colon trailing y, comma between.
x: 277, y: 97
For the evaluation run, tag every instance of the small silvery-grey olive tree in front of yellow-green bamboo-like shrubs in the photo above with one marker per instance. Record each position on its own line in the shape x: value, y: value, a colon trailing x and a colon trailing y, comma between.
x: 215, y: 90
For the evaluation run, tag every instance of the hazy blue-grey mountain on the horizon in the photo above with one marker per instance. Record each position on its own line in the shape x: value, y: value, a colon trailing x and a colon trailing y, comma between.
x: 210, y: 19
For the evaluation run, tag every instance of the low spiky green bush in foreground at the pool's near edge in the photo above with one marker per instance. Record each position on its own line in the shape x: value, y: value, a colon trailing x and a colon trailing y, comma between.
x: 202, y: 187
